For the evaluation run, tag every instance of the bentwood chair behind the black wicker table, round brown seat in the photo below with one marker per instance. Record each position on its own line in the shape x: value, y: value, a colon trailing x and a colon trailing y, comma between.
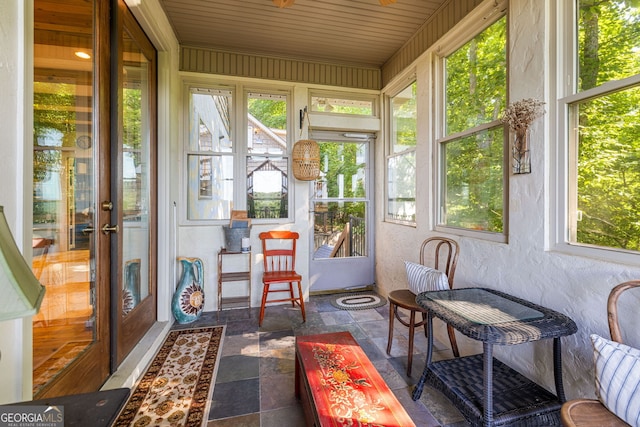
x: 445, y: 253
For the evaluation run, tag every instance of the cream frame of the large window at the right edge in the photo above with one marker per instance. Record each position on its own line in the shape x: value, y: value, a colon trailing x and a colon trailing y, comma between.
x: 563, y: 206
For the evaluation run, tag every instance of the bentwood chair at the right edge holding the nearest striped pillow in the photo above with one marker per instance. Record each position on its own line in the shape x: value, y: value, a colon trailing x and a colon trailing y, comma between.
x: 590, y: 412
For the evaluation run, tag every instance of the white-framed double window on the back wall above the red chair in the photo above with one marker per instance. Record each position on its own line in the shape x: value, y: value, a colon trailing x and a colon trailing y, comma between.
x: 224, y: 174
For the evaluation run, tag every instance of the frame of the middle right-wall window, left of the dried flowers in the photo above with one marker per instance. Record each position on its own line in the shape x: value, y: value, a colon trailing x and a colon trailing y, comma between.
x: 450, y: 44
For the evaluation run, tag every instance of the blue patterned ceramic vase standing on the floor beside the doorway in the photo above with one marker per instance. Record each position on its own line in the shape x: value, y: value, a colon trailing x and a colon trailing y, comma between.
x: 188, y: 300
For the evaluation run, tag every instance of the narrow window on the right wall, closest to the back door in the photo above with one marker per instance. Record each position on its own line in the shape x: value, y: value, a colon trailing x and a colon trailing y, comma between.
x: 401, y: 160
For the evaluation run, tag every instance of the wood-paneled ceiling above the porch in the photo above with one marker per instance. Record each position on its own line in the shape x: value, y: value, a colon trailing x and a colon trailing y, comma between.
x: 350, y: 32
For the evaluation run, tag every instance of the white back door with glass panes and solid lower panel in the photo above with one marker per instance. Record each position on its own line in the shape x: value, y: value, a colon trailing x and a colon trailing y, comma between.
x: 341, y: 251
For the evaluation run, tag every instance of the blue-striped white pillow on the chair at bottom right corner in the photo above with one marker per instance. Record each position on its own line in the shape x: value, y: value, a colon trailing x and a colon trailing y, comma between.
x: 618, y: 378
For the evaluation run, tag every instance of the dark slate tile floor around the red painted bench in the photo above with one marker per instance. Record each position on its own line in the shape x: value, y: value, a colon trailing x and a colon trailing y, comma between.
x: 255, y: 381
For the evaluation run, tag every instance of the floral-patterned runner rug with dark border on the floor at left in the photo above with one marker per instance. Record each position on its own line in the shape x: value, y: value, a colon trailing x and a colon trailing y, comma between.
x: 177, y: 387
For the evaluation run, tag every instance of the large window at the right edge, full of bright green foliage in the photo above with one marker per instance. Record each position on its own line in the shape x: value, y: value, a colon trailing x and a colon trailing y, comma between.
x: 603, y: 122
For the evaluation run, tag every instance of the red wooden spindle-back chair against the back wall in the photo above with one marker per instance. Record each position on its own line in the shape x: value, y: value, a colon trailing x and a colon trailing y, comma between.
x: 279, y: 258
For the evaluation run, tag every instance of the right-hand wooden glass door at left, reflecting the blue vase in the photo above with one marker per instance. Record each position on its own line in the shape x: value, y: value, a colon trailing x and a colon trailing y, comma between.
x: 133, y: 220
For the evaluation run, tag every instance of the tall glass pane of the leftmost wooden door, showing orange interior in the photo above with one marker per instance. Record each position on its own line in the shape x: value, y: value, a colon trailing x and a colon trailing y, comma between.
x: 63, y: 188
